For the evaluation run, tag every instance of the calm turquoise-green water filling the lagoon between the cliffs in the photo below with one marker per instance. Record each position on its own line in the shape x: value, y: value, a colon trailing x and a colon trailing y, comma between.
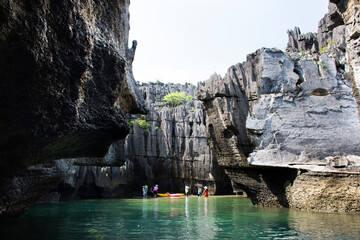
x: 184, y: 218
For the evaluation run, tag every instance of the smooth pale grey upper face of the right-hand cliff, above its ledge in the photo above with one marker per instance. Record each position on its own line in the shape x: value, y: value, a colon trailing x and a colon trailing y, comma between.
x: 300, y: 116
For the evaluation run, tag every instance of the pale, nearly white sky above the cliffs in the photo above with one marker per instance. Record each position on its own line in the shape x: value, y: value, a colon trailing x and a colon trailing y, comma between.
x: 189, y: 40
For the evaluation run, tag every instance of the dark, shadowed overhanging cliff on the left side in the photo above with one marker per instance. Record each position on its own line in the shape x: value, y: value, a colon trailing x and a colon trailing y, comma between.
x: 66, y: 84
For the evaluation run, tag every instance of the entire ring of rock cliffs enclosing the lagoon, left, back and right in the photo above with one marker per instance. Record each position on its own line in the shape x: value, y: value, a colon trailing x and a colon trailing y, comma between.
x: 284, y: 127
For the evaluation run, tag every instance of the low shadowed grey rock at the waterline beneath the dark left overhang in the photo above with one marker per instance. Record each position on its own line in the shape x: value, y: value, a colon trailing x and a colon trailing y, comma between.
x: 82, y: 179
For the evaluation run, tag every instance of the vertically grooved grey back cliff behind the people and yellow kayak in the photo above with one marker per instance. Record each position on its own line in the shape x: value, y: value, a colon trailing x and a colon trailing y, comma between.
x: 172, y: 151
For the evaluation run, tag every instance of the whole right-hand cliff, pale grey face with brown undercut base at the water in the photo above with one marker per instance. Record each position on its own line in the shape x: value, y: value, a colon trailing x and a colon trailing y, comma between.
x: 285, y: 126
